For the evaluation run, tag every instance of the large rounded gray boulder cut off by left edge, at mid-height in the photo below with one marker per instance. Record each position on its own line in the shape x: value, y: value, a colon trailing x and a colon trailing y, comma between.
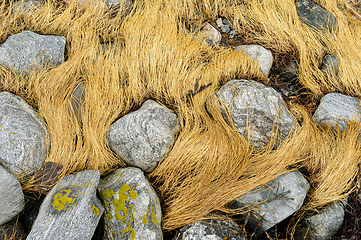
x: 23, y: 136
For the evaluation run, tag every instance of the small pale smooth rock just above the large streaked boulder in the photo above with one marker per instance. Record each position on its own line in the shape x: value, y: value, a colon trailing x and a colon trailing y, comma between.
x: 260, y: 54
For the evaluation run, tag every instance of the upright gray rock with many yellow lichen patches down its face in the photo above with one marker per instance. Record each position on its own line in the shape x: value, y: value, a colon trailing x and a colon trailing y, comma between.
x: 132, y: 208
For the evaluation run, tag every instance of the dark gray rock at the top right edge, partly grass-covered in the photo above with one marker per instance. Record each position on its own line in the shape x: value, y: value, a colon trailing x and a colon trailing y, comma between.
x: 315, y: 16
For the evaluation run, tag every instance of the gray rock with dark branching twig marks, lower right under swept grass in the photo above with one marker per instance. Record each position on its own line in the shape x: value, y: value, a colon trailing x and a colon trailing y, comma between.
x: 273, y: 202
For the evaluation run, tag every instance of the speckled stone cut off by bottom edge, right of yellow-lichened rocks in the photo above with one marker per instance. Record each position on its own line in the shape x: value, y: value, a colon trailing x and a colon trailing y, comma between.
x: 210, y: 230
